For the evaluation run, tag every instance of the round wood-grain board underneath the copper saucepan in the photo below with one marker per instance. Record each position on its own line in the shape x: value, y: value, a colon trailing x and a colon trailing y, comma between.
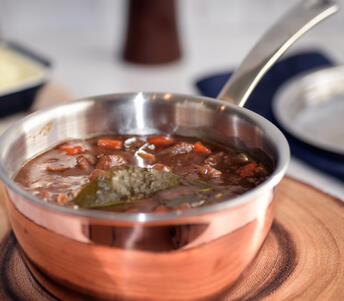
x: 301, y: 259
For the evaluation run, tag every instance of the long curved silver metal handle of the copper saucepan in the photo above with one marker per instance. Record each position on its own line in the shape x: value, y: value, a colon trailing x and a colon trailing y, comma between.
x: 272, y: 45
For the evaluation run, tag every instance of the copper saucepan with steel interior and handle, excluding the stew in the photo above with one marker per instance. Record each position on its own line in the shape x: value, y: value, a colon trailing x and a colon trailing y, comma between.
x: 191, y: 255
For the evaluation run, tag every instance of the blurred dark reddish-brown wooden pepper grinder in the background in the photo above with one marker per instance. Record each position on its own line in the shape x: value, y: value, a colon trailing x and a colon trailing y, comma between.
x: 152, y: 35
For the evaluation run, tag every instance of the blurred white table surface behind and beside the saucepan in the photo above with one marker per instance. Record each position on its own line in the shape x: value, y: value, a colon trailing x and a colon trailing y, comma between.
x: 85, y: 50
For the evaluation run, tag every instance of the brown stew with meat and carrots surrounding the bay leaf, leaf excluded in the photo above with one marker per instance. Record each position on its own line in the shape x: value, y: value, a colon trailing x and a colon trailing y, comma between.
x: 60, y: 173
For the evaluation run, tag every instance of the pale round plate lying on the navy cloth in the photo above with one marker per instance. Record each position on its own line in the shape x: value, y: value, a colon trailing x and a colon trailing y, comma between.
x: 311, y: 108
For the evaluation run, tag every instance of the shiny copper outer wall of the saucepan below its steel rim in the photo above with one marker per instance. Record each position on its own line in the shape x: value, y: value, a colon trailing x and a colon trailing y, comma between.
x: 186, y: 260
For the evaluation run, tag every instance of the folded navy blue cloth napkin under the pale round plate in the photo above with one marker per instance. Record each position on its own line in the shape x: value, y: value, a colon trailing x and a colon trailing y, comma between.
x: 263, y: 95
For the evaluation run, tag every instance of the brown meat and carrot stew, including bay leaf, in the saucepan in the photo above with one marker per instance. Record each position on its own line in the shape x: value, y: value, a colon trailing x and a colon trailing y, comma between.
x: 140, y: 173
